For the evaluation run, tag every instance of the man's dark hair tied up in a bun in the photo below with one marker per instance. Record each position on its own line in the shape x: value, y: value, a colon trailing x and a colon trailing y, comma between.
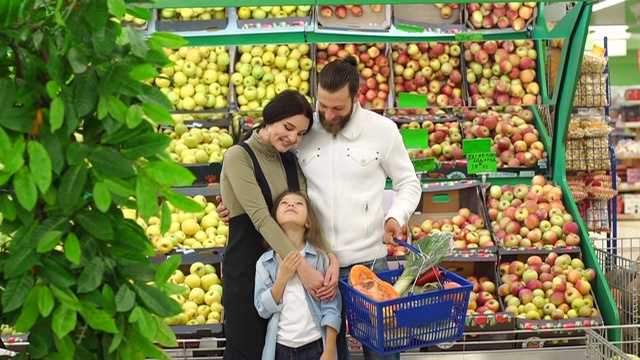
x: 338, y: 73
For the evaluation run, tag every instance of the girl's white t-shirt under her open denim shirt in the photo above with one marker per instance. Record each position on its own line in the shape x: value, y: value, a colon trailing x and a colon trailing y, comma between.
x: 296, y: 326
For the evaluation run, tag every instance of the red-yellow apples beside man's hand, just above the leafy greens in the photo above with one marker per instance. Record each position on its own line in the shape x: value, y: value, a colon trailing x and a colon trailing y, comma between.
x: 469, y: 229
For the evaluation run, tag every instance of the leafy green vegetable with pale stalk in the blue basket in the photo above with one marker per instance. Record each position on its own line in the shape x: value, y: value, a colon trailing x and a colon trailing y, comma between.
x: 435, y: 247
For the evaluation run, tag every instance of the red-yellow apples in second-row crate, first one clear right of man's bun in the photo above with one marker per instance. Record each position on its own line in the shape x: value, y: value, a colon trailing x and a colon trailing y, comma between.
x: 432, y: 69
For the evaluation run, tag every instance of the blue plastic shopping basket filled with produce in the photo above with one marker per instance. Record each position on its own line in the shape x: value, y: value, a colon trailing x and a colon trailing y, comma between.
x: 408, y: 322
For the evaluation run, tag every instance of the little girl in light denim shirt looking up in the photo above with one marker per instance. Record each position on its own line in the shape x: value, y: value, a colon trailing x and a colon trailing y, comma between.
x: 300, y: 327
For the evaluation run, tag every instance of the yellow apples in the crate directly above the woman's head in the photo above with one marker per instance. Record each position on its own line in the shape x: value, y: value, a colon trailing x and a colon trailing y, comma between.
x: 262, y: 72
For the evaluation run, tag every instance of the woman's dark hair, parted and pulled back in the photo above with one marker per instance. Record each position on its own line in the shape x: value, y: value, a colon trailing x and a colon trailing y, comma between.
x: 284, y: 105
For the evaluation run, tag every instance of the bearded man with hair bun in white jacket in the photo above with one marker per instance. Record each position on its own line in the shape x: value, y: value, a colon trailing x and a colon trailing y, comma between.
x: 346, y: 162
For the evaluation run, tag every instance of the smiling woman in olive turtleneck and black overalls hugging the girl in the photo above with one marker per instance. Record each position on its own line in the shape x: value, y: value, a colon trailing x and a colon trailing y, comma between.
x: 254, y: 173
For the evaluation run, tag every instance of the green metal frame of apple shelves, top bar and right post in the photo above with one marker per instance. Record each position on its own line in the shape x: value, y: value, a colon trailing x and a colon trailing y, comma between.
x: 573, y: 28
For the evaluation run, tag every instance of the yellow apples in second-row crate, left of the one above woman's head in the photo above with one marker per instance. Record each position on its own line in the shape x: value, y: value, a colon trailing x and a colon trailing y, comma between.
x: 199, y: 78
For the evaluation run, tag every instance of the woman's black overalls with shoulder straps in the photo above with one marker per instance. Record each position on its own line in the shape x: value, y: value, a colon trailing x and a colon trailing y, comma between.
x: 245, y: 330
